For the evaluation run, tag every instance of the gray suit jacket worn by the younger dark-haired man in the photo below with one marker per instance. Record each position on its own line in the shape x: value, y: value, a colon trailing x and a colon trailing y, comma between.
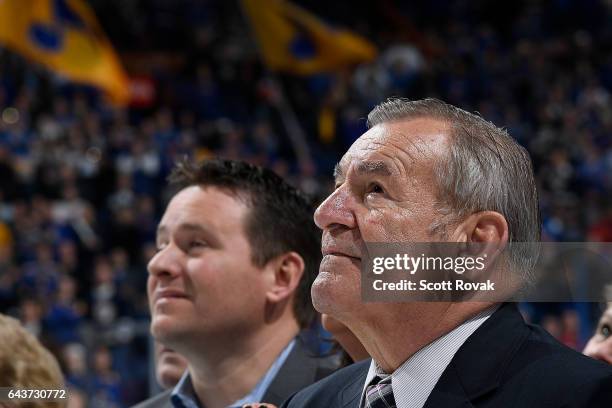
x: 301, y: 368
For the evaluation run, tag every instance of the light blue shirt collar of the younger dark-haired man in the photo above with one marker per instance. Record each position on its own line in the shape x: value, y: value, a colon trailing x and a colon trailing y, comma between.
x: 183, y: 395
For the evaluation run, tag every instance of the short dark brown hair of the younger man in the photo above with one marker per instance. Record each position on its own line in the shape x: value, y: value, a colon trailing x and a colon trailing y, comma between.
x: 280, y: 220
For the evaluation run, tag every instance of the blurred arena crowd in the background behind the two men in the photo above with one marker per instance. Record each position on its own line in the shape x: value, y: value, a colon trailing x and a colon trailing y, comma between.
x: 83, y: 181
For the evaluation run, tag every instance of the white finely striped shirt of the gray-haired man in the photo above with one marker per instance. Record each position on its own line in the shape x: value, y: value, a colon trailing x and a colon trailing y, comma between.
x: 414, y: 380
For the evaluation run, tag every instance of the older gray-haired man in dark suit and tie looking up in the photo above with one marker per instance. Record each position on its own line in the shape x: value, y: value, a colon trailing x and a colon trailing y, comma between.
x: 426, y: 171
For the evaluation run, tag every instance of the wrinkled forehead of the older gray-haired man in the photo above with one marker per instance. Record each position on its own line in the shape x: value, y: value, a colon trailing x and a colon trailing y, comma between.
x: 398, y: 147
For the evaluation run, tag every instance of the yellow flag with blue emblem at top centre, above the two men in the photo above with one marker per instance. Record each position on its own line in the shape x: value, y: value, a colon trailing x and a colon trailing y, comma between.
x: 293, y: 40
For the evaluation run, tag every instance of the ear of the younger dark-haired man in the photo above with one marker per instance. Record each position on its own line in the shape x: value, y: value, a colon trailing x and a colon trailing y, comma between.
x: 283, y: 275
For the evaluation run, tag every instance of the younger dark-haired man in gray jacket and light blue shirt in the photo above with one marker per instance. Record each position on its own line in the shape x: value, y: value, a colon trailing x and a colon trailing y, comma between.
x: 229, y: 286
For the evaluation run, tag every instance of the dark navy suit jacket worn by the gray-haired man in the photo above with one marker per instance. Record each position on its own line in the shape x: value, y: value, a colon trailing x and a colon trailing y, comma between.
x: 505, y: 363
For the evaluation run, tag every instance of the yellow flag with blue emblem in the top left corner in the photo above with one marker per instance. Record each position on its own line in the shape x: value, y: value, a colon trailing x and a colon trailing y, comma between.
x: 65, y: 36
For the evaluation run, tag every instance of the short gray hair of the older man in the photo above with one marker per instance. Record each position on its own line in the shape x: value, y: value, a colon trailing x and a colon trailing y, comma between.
x: 486, y: 170
